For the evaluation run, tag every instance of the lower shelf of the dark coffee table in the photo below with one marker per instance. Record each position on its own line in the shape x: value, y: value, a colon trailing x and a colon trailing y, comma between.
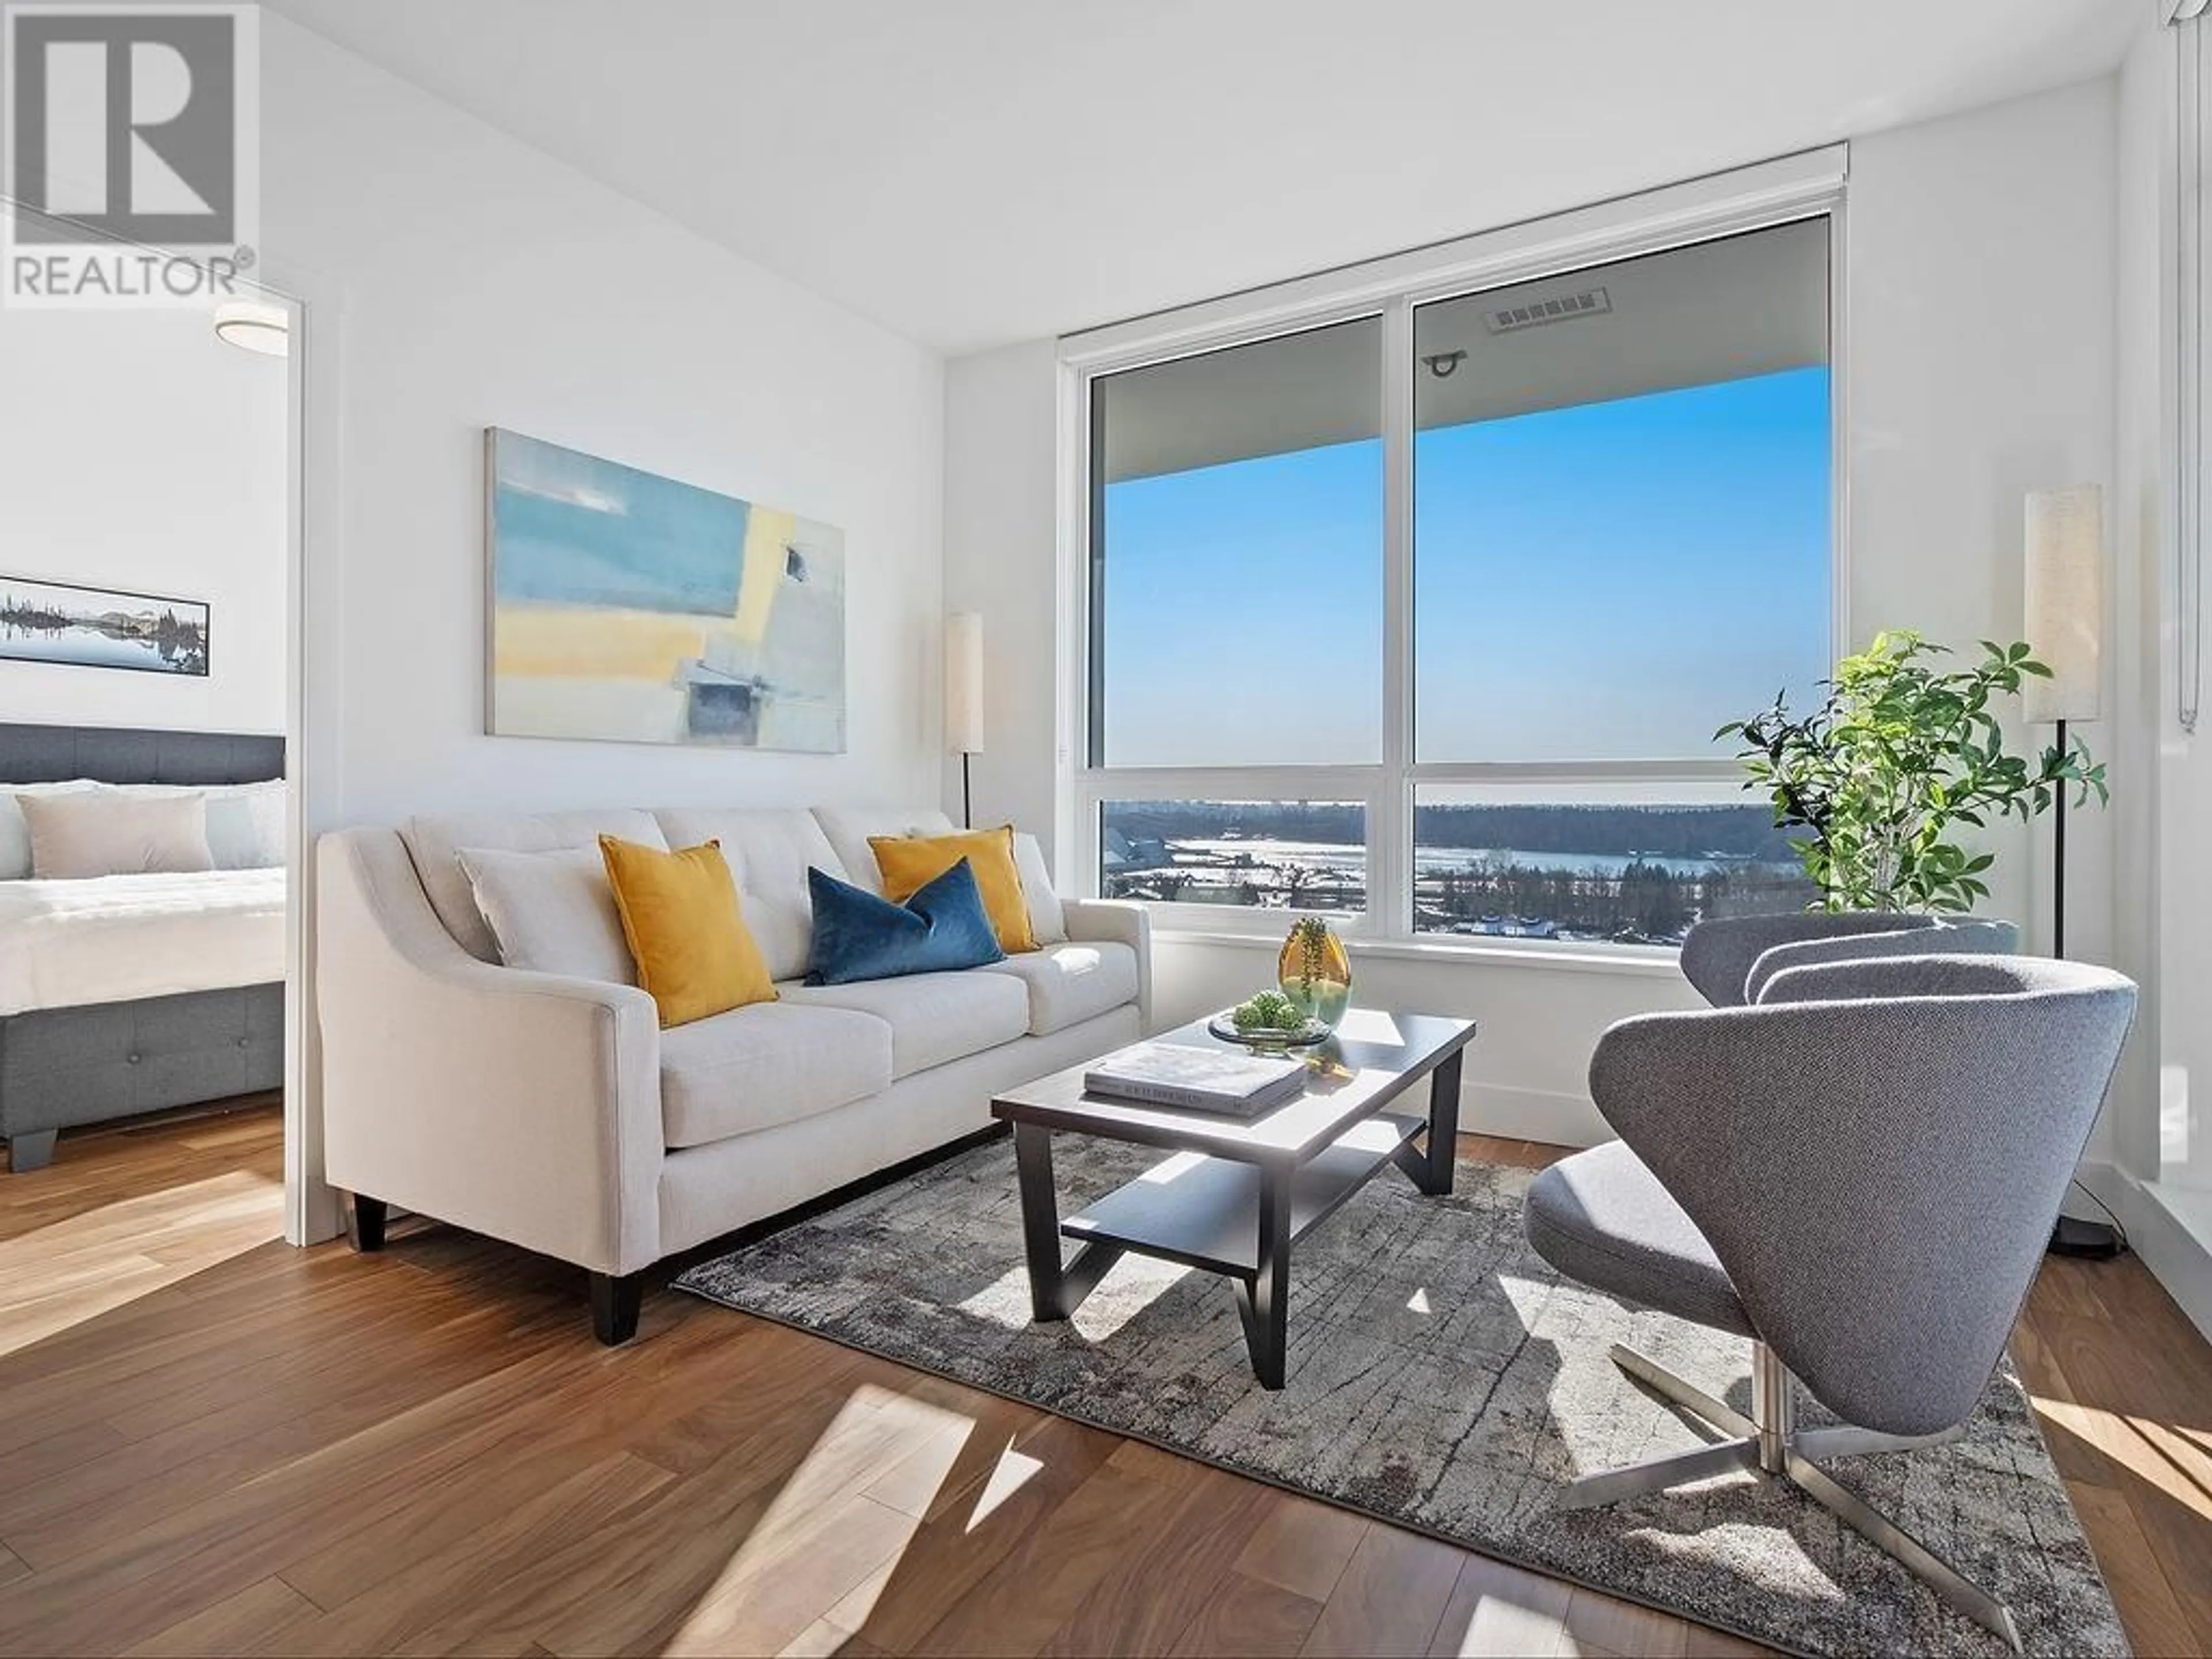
x: 1207, y: 1211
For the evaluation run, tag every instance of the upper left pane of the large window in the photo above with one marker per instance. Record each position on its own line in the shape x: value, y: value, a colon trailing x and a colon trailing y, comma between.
x: 1240, y: 521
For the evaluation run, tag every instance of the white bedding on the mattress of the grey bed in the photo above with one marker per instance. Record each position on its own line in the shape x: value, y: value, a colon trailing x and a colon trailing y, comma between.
x: 116, y: 939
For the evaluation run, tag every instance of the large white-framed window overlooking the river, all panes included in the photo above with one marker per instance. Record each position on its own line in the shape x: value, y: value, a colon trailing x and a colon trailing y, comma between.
x: 1428, y: 616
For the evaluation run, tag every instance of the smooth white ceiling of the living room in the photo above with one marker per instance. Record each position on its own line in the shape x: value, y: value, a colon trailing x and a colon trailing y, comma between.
x: 985, y: 171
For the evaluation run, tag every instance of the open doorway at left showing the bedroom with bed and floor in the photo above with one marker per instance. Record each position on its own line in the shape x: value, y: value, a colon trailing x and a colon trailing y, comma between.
x: 149, y: 848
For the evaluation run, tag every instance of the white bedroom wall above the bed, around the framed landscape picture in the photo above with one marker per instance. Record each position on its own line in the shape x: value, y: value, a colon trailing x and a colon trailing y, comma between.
x: 138, y: 452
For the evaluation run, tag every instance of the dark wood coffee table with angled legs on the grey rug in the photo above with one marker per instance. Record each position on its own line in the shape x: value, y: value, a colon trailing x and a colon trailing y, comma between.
x: 1258, y: 1185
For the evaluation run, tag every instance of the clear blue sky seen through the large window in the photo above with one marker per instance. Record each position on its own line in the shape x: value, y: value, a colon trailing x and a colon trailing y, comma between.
x: 1598, y: 583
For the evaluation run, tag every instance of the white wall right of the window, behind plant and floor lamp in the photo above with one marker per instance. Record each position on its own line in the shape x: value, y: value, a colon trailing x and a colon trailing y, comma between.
x: 1981, y: 368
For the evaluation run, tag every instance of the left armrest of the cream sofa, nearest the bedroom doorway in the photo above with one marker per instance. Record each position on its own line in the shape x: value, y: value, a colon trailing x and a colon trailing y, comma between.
x: 517, y: 1105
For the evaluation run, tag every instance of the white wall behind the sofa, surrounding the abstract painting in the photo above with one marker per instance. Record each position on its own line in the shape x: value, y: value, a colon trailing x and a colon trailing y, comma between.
x: 479, y: 282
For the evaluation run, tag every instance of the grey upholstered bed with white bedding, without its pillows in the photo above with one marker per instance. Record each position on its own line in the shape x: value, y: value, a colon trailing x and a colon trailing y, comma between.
x: 136, y: 994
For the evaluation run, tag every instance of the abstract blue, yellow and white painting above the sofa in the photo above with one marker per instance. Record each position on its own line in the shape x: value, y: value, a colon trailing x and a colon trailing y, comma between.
x: 638, y: 609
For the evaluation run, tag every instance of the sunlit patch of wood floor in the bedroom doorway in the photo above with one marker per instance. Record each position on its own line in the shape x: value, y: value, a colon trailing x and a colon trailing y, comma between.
x: 90, y: 1264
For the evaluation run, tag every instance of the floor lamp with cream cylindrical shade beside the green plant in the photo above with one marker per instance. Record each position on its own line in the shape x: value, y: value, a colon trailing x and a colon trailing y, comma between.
x: 2065, y: 625
